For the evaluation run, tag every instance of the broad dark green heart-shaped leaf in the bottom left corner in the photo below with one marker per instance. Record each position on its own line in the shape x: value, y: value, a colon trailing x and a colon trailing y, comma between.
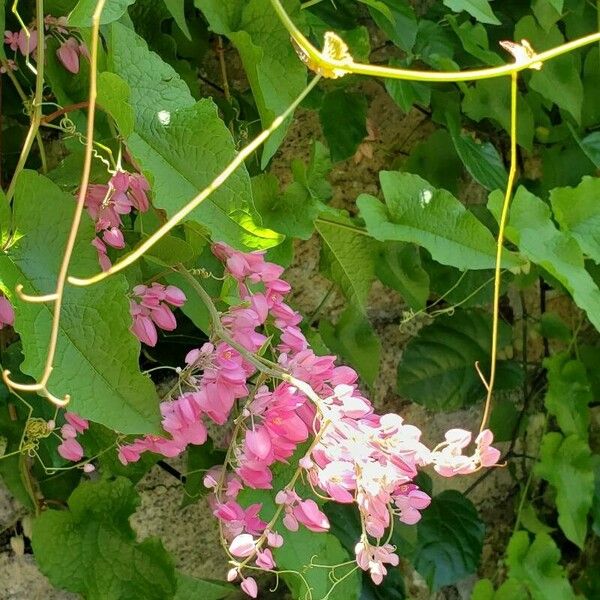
x: 91, y: 549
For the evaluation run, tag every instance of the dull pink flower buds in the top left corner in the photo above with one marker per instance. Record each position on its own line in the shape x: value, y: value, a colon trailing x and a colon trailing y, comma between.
x: 68, y: 53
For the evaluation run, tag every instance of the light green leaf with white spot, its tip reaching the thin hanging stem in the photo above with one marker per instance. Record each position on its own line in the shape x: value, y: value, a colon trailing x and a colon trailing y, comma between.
x: 416, y: 212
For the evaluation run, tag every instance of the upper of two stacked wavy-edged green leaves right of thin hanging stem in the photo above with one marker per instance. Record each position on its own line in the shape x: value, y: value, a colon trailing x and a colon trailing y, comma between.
x: 569, y: 394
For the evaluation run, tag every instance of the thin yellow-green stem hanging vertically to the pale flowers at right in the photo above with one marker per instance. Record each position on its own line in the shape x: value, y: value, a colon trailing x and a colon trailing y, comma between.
x: 499, y: 247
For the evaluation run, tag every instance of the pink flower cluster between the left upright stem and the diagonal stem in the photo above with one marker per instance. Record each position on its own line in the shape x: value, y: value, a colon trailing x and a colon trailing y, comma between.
x: 106, y: 203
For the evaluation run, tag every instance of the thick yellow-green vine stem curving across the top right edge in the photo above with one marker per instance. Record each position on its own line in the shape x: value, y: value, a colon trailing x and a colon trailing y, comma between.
x: 328, y: 64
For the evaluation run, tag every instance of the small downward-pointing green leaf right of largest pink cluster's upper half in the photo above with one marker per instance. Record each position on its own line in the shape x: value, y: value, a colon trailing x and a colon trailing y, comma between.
x: 353, y: 339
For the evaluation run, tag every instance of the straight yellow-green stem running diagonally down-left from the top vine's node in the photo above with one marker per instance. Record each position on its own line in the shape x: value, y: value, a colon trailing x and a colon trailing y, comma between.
x: 203, y: 195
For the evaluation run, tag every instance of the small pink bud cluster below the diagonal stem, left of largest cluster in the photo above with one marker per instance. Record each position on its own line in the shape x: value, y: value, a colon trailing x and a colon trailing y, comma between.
x: 151, y: 310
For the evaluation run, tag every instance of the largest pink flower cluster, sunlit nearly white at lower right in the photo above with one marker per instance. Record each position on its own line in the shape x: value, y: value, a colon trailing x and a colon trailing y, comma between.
x: 355, y: 455
